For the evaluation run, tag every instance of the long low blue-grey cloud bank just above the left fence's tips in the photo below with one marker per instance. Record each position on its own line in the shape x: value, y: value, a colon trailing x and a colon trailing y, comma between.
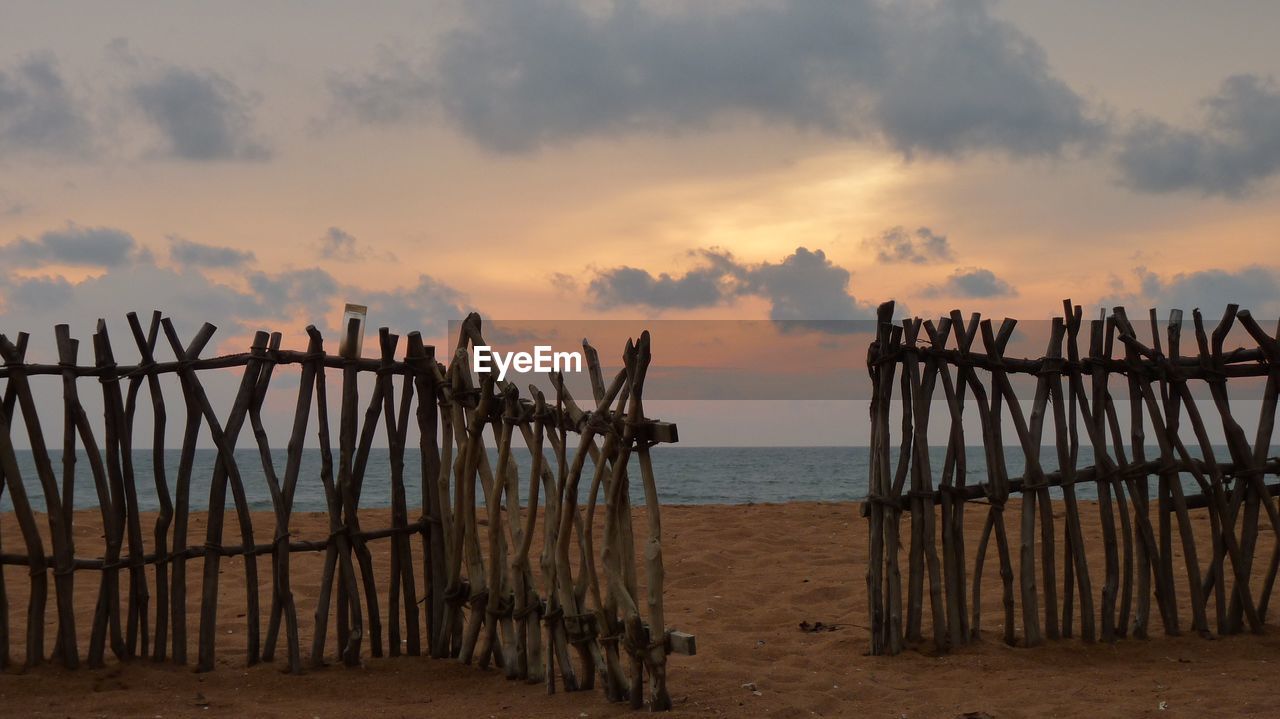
x: 134, y: 282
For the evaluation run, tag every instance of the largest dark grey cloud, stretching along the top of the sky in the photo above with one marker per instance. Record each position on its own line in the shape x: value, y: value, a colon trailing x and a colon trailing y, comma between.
x: 941, y: 80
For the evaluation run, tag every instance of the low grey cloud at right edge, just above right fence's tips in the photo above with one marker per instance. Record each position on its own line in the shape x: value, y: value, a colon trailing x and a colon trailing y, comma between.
x: 1254, y: 287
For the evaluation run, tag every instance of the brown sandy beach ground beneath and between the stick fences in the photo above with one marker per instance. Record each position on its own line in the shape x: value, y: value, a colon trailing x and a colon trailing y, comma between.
x: 742, y: 579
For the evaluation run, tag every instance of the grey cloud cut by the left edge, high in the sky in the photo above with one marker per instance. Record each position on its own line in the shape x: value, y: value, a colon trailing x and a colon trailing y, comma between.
x: 38, y: 112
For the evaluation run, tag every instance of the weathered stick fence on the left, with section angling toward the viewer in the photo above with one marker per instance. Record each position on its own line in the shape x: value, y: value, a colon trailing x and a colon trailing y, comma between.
x: 476, y: 596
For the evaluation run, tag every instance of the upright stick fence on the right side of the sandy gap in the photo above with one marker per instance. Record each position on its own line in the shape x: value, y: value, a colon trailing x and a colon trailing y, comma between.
x: 1073, y: 393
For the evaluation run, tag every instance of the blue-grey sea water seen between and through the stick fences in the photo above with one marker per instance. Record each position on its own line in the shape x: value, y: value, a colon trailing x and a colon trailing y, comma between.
x: 685, y: 475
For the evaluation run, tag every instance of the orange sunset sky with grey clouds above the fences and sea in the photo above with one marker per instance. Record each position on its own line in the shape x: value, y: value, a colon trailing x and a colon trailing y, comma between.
x: 258, y: 166
